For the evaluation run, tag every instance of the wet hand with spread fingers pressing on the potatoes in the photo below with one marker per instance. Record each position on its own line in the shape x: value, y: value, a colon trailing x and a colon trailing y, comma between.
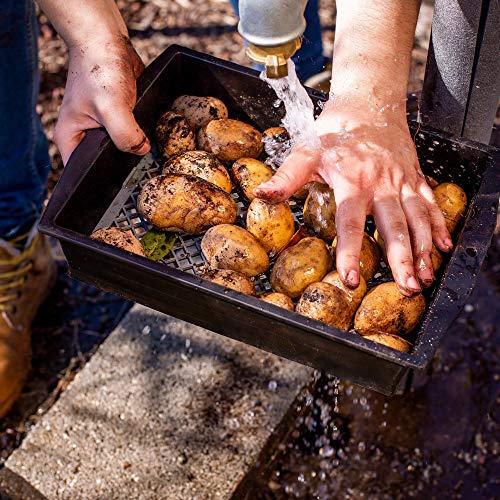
x: 368, y: 158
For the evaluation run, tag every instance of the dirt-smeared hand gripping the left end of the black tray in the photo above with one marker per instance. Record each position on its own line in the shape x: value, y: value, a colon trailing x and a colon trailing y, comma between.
x: 101, y: 92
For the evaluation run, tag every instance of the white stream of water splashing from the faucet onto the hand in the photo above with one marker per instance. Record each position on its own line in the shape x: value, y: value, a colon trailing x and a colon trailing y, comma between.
x: 299, y: 117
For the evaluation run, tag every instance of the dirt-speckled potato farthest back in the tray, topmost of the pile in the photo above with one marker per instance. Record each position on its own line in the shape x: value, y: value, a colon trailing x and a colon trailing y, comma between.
x: 198, y: 111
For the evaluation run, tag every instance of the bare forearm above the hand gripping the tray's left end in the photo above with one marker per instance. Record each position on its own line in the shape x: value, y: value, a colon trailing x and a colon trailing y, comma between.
x: 80, y: 22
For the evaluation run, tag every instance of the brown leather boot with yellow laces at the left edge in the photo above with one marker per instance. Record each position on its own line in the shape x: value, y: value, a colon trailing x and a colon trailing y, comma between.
x: 27, y: 274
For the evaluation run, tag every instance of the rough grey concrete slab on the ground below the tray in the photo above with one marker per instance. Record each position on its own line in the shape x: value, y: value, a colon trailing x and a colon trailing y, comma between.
x: 163, y: 410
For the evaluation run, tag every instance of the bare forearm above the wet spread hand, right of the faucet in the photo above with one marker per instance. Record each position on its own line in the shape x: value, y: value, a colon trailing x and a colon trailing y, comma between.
x: 372, y: 50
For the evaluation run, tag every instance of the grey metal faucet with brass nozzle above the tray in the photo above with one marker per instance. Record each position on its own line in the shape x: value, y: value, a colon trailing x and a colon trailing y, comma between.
x: 273, y: 29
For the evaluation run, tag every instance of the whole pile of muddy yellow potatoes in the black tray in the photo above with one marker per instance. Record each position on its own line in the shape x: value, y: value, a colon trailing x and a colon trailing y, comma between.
x: 206, y: 155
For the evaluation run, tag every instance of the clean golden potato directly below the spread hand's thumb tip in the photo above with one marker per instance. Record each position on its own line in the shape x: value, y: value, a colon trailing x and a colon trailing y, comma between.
x: 272, y: 225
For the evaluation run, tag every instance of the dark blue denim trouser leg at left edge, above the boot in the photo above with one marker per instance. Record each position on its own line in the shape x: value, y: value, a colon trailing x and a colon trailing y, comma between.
x: 24, y: 160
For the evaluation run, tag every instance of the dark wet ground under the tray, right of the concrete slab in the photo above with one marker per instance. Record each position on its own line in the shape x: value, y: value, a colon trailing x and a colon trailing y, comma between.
x: 438, y: 441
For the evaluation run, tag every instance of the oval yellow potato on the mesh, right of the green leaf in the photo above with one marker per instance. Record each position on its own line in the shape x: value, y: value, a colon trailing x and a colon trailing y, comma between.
x: 231, y: 247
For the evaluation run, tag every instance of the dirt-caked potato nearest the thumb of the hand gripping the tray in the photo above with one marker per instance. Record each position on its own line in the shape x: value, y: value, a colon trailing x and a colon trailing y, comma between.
x: 173, y: 134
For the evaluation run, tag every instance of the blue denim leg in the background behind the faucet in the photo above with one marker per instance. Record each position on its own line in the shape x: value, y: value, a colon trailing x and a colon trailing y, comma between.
x: 309, y: 58
